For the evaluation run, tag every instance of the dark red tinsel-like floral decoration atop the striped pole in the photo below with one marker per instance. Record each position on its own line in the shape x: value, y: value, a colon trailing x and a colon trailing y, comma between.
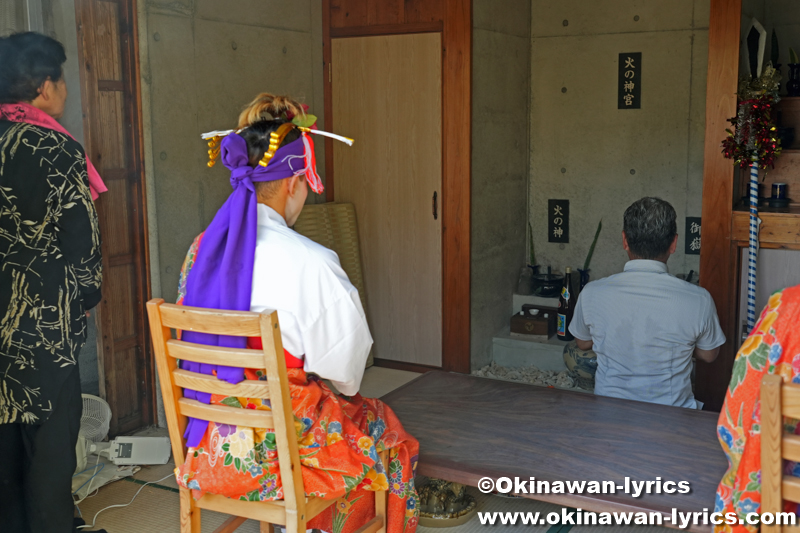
x: 754, y: 135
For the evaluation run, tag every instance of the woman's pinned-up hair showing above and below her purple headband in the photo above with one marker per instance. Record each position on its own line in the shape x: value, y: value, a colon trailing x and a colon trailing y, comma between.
x: 259, y: 118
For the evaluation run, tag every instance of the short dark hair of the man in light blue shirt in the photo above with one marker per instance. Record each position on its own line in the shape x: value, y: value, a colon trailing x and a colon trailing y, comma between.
x: 650, y: 225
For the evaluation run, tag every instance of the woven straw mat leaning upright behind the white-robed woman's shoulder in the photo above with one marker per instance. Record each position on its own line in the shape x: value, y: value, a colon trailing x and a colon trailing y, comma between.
x: 334, y: 226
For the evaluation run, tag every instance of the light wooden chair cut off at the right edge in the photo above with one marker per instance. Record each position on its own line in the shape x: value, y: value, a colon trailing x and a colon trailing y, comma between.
x: 778, y: 400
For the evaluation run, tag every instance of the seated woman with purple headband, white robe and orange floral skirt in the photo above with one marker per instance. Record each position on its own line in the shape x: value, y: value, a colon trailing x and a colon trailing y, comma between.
x: 249, y: 258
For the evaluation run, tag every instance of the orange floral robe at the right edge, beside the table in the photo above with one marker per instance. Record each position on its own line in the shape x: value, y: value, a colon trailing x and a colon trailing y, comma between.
x: 773, y: 347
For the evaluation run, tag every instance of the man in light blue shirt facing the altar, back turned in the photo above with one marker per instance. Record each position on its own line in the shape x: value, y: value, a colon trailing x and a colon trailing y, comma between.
x: 644, y: 324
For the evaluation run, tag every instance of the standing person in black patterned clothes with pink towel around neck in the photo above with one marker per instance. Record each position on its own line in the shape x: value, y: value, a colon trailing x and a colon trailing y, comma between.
x: 50, y: 275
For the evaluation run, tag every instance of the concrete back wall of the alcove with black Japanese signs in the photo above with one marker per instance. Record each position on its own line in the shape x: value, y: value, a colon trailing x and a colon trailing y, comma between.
x: 600, y: 158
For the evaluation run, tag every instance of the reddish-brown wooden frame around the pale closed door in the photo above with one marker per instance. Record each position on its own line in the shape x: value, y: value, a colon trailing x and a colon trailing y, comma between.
x: 455, y: 25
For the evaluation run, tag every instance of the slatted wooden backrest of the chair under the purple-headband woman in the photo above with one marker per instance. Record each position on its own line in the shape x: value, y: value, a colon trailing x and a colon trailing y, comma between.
x: 168, y: 350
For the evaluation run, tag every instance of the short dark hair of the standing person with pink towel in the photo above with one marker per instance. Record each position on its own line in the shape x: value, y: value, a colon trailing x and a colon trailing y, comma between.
x: 27, y: 60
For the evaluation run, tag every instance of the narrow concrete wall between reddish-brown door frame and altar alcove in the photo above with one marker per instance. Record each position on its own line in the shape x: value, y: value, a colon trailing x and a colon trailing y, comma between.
x: 500, y: 100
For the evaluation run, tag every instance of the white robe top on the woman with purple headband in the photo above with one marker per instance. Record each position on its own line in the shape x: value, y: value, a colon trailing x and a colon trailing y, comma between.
x: 320, y: 313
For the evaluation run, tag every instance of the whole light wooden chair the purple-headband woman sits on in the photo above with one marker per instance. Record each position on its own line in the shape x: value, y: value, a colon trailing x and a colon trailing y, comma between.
x: 296, y: 509
